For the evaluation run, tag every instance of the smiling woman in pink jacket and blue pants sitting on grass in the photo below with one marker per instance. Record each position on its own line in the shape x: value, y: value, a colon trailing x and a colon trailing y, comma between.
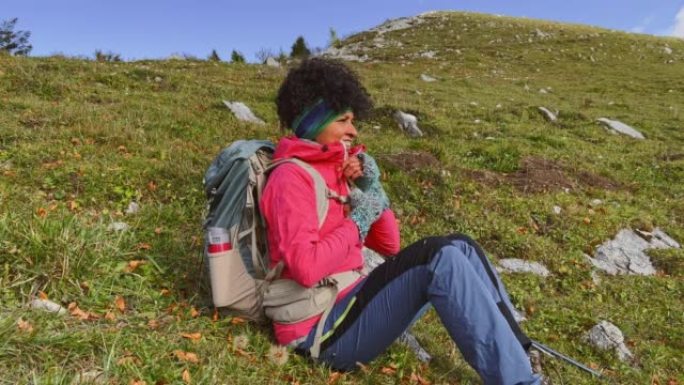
x: 319, y: 101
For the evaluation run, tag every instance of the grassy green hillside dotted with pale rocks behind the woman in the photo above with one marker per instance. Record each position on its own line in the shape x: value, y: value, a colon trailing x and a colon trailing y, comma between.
x: 79, y: 140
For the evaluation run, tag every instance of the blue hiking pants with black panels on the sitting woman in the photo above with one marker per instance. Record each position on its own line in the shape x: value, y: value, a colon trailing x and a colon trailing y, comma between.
x: 451, y: 273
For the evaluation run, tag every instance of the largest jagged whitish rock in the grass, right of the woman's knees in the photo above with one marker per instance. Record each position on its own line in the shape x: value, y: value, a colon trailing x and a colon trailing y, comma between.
x: 625, y: 253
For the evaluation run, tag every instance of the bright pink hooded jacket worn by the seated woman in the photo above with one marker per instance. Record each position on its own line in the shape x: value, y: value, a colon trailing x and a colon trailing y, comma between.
x: 288, y: 205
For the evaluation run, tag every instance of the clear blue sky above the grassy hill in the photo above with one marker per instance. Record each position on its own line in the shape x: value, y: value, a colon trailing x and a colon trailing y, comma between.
x: 158, y: 28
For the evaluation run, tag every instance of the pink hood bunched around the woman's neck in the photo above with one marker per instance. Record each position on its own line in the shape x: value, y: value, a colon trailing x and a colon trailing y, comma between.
x: 313, y: 152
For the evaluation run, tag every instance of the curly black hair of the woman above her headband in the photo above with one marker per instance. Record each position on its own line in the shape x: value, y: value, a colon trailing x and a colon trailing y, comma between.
x: 318, y: 78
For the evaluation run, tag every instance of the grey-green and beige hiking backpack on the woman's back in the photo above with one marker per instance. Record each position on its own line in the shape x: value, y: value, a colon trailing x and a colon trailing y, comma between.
x: 233, y: 184
